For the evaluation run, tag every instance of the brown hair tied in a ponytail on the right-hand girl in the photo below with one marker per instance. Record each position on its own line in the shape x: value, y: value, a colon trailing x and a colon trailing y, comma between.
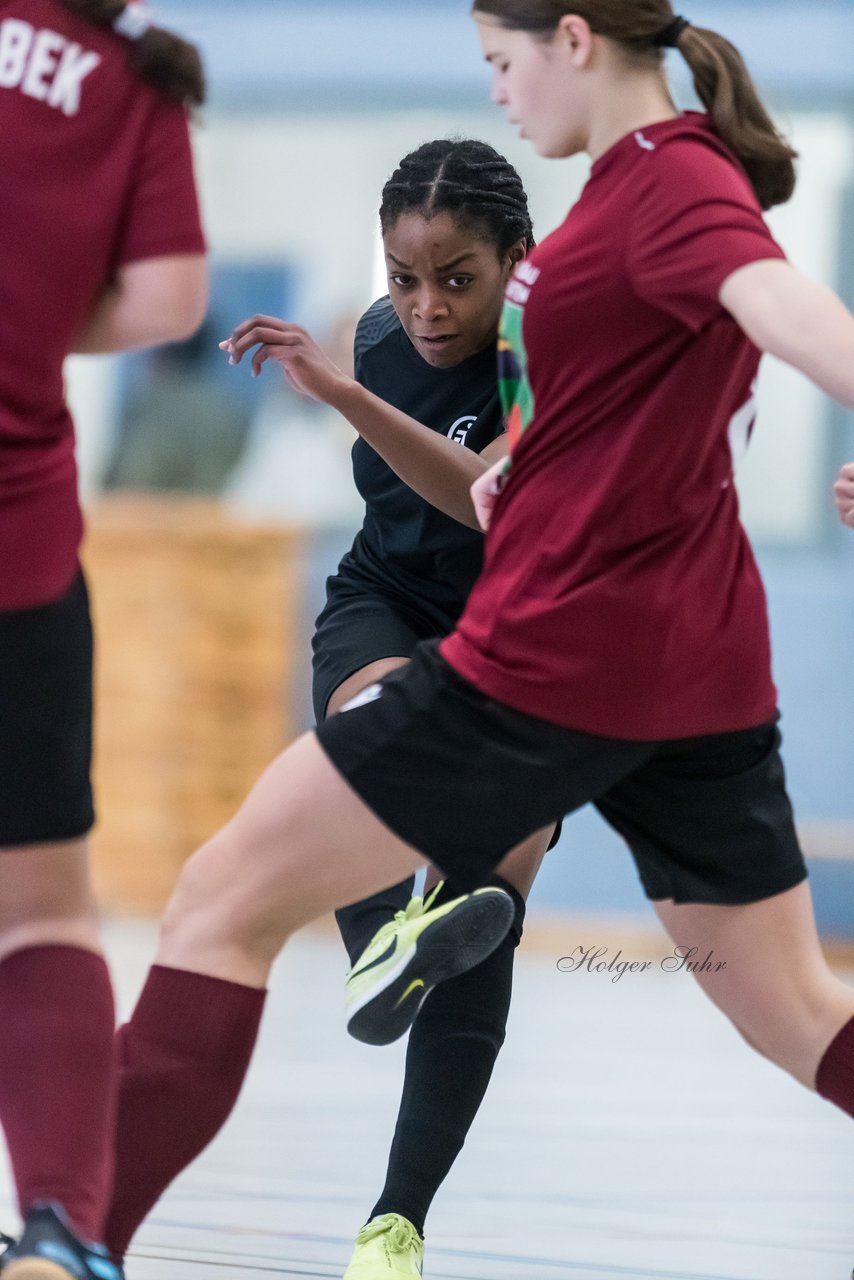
x: 721, y: 79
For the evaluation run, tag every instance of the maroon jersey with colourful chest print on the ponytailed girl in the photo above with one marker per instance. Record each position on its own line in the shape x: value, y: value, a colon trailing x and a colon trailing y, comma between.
x: 620, y: 595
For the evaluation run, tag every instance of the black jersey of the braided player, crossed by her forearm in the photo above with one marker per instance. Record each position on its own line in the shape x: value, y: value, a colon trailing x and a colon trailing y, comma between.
x: 407, y: 546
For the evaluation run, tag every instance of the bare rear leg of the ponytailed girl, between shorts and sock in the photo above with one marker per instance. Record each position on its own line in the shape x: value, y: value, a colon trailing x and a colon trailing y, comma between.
x: 777, y: 988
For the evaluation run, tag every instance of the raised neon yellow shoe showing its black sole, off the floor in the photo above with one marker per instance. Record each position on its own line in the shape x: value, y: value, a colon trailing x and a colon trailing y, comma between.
x: 415, y: 952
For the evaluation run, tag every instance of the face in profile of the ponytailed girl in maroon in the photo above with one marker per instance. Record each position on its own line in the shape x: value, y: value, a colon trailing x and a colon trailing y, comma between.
x: 538, y: 84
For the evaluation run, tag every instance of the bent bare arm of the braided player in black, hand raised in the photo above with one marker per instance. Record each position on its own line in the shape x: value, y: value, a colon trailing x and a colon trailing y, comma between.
x: 436, y: 468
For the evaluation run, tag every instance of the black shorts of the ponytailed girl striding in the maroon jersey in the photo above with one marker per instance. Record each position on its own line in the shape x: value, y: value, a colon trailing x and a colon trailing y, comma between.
x: 464, y: 779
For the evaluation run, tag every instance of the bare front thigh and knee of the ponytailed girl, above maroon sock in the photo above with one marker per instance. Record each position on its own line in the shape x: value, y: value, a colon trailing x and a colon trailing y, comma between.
x: 302, y: 844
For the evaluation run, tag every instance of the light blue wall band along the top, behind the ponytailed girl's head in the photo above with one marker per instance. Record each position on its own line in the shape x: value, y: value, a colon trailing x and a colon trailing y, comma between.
x: 323, y: 53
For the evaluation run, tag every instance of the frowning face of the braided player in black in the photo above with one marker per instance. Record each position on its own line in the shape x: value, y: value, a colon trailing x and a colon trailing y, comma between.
x: 446, y: 286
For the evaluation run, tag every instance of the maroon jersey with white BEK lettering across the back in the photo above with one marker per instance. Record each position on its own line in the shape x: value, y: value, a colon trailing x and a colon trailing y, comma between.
x: 95, y: 172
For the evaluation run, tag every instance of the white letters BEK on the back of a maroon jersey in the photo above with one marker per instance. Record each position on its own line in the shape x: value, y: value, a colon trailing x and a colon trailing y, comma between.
x: 44, y: 66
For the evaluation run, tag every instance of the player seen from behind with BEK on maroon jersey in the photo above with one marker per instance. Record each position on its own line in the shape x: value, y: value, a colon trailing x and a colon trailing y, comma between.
x: 102, y: 250
